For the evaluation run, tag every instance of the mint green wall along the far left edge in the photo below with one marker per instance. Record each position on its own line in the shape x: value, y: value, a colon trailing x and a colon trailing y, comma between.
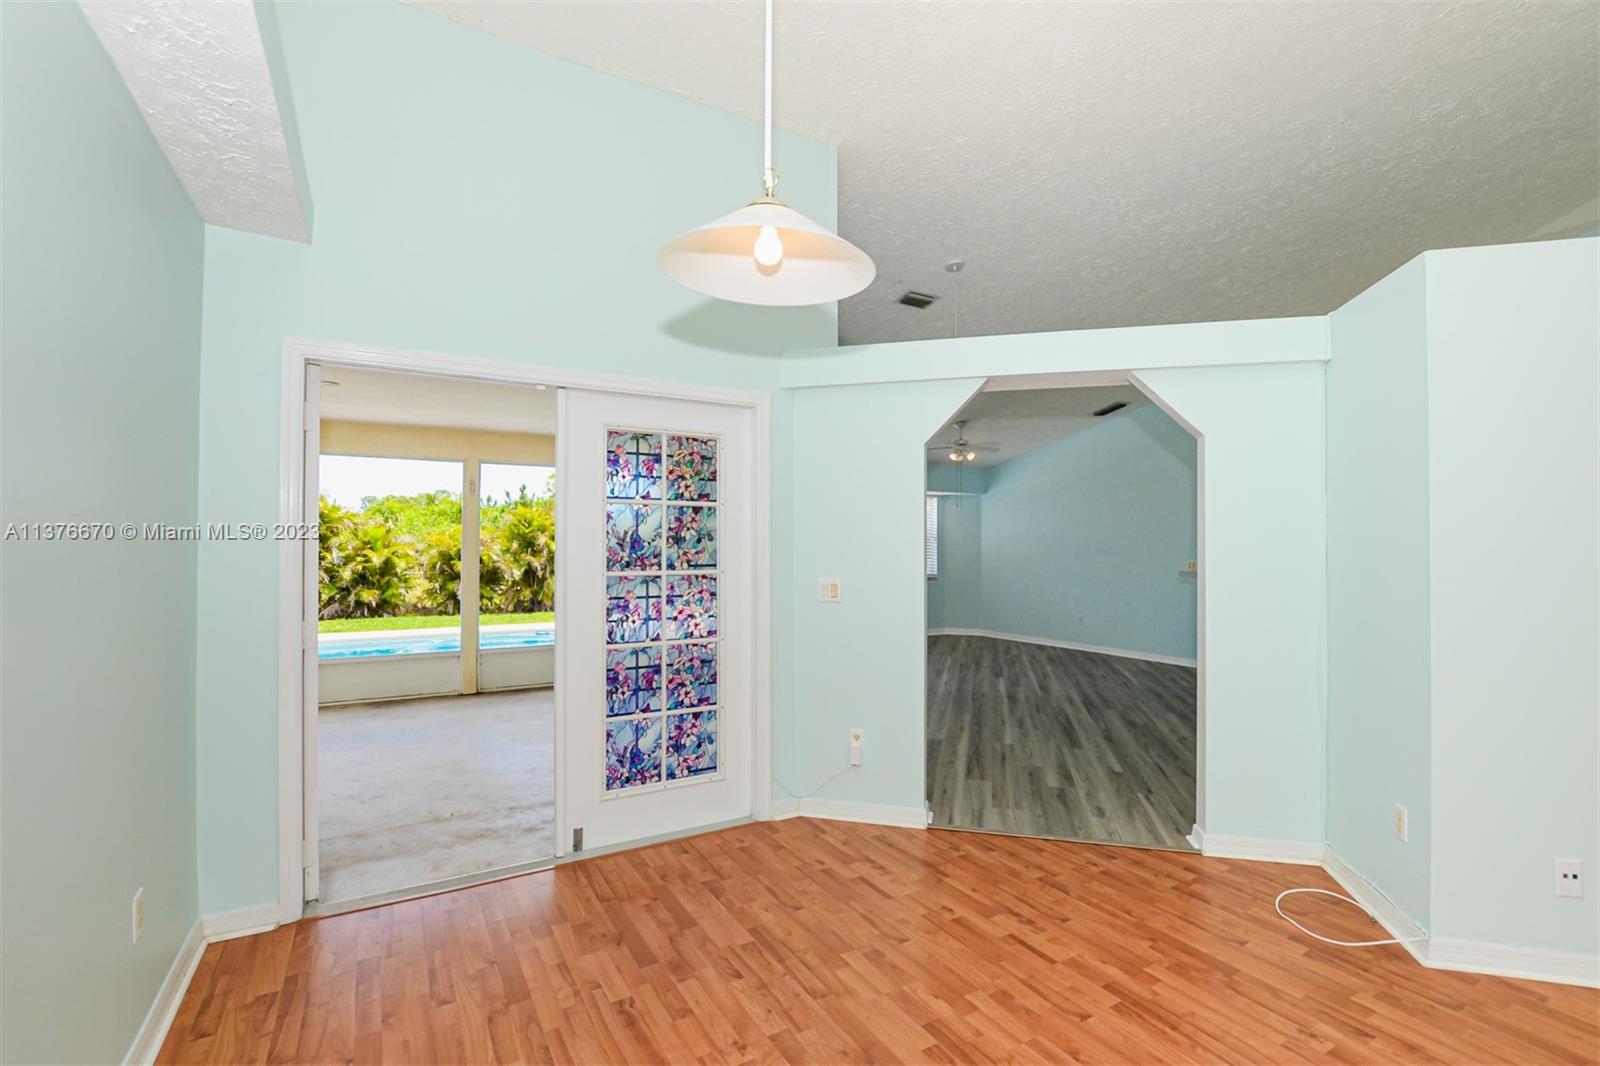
x: 100, y: 359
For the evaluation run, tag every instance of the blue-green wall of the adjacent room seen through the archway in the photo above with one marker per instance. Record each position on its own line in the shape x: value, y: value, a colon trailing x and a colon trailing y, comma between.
x: 1097, y: 526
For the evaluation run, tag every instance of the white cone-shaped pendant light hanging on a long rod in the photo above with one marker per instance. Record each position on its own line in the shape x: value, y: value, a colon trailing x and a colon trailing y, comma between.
x: 767, y: 252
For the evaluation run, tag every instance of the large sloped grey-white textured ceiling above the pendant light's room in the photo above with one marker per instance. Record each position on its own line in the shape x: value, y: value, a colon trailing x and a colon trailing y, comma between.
x: 1127, y: 164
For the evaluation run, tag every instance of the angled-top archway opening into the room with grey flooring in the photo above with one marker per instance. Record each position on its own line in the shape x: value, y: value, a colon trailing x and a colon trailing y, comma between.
x: 1063, y: 619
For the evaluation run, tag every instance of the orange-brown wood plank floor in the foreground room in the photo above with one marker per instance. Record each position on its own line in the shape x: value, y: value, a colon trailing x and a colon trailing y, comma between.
x: 846, y: 944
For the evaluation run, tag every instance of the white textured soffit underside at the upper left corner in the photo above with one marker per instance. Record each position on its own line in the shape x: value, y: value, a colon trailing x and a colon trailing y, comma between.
x: 199, y: 73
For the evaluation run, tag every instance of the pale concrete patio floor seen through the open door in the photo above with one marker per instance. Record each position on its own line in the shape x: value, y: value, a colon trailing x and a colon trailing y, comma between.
x: 425, y: 790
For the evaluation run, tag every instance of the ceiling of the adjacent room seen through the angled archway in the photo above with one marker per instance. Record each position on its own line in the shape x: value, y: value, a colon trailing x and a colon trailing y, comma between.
x: 1020, y: 422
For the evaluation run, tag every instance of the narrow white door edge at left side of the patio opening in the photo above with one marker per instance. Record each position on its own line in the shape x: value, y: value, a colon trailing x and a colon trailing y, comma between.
x: 311, y: 596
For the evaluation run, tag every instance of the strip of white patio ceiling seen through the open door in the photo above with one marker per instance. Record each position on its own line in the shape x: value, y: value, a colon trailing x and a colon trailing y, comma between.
x: 399, y: 399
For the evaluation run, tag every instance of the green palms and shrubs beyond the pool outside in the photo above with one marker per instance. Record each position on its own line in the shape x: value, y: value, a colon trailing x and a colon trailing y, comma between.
x: 401, y: 558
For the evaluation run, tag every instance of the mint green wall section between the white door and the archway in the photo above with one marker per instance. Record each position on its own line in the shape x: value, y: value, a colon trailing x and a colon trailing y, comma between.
x: 857, y: 492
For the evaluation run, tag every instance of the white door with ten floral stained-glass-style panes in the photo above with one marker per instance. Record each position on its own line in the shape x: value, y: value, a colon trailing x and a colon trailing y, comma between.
x: 657, y: 617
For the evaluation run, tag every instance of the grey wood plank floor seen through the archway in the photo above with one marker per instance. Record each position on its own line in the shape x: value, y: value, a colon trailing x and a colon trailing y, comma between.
x: 1058, y: 743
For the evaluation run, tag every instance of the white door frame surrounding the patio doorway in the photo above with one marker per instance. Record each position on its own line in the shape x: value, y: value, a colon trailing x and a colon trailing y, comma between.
x: 295, y: 614
